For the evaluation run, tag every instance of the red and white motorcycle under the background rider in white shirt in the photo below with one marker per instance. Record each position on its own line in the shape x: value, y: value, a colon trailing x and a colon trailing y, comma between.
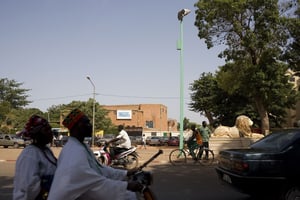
x: 127, y: 158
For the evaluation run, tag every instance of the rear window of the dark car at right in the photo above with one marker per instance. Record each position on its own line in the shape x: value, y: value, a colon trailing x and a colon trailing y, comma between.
x: 277, y: 141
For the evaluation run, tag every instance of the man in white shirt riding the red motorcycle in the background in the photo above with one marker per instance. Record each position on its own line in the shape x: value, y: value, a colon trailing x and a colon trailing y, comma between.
x: 123, y: 140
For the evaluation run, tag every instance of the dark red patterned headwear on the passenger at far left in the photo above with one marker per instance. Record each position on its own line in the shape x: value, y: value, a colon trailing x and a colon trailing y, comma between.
x: 33, y: 126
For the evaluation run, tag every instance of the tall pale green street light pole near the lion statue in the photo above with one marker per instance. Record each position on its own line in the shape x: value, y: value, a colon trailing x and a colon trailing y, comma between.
x: 180, y: 16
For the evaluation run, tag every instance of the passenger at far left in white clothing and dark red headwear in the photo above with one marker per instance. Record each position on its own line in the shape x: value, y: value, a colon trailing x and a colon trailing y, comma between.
x: 36, y: 164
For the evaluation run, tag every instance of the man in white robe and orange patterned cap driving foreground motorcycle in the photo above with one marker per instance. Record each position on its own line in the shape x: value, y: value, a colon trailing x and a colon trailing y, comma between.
x: 80, y: 176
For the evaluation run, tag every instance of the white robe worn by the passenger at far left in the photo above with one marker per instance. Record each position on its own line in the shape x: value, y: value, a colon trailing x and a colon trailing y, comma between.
x: 30, y: 166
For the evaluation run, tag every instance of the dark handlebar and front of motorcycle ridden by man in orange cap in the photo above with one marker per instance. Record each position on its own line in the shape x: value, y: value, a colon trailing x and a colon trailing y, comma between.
x: 145, y: 178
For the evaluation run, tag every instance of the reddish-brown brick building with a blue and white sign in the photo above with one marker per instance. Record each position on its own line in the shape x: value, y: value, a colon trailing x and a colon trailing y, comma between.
x: 151, y: 117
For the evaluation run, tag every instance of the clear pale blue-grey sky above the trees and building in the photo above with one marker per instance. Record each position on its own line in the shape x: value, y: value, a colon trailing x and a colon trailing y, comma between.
x: 127, y: 47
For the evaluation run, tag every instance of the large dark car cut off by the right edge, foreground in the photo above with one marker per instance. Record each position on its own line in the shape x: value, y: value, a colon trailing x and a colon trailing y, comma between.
x: 269, y: 168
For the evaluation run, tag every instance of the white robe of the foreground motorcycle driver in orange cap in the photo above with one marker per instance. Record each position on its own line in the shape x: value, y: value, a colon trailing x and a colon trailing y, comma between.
x: 78, y: 176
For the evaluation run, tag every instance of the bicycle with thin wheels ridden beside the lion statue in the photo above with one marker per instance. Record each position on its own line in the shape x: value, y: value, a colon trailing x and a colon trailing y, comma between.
x: 179, y: 156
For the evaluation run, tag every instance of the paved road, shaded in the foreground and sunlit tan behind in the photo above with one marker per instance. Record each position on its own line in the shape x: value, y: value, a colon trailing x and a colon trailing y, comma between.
x: 189, y: 182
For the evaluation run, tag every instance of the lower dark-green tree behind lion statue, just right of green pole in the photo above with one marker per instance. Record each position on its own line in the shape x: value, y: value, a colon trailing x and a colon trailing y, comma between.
x: 216, y: 104
